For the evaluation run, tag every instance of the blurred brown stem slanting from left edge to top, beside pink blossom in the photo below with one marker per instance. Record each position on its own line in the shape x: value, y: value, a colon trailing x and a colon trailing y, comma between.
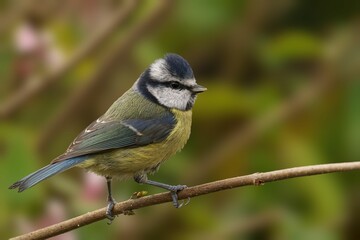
x: 28, y: 91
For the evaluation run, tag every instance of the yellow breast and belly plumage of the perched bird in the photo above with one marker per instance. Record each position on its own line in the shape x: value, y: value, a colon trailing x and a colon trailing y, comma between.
x: 127, y: 162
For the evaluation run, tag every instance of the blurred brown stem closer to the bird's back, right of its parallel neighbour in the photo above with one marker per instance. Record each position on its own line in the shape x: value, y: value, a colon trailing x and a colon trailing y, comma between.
x: 117, y: 55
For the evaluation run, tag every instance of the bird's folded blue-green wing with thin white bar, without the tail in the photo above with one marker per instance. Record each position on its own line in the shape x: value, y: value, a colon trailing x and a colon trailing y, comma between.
x: 104, y: 135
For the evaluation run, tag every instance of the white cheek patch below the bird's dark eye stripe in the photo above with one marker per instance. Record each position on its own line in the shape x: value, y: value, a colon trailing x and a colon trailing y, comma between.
x: 170, y: 97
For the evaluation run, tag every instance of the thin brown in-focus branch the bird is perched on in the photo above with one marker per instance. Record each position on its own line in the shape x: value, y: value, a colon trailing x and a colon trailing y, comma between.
x: 256, y: 179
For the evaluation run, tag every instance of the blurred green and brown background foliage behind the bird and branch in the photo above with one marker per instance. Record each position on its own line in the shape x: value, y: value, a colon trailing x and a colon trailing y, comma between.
x: 283, y: 81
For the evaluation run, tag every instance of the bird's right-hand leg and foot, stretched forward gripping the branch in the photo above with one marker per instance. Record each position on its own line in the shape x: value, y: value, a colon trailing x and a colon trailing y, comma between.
x: 172, y: 188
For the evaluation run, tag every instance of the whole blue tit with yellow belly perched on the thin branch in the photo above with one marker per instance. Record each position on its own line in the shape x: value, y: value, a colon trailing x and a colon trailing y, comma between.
x: 144, y: 127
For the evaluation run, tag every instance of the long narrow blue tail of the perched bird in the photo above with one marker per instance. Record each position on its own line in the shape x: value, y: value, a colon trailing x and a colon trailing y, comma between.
x: 46, y: 172
